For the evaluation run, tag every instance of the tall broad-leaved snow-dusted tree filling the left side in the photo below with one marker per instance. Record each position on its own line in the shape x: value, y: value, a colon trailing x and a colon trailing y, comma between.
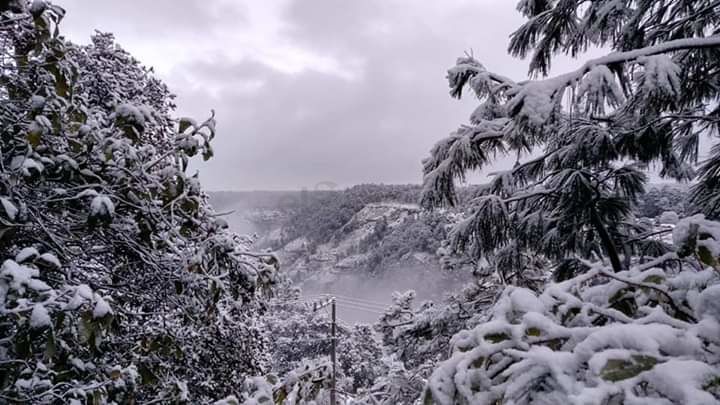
x: 119, y: 282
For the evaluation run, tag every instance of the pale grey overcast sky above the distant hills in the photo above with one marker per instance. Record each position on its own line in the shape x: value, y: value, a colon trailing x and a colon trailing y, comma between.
x: 310, y: 91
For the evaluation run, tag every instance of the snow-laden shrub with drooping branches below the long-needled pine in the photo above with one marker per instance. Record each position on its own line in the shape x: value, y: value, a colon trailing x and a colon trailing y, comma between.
x: 650, y: 334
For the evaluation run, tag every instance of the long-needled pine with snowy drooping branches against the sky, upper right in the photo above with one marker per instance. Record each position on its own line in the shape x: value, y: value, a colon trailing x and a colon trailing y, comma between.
x: 583, y: 139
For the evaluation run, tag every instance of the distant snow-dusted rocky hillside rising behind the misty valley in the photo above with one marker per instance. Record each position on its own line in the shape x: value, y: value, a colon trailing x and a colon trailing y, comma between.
x: 344, y: 245
